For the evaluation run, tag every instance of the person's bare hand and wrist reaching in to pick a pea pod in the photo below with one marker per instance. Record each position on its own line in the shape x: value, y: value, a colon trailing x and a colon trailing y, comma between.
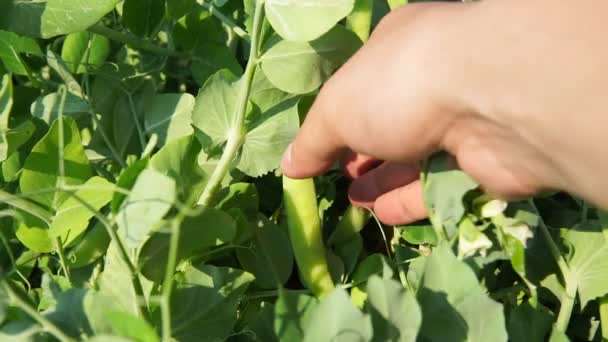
x: 514, y: 90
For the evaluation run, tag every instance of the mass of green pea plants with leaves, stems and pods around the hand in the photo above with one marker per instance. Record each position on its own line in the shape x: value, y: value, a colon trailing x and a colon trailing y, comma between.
x: 141, y: 199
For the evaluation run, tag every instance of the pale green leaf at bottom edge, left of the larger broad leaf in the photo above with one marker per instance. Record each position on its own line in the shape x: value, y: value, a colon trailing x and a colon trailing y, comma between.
x: 395, y: 313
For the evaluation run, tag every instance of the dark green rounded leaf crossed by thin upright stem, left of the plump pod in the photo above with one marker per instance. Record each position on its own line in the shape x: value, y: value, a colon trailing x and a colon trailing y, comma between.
x: 198, y: 233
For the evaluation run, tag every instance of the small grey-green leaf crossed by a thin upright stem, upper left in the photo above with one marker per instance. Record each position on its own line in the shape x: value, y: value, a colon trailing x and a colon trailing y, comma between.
x: 47, y: 107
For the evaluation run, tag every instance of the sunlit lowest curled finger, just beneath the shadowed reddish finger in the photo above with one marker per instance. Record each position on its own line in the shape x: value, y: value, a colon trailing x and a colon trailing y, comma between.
x: 401, y: 206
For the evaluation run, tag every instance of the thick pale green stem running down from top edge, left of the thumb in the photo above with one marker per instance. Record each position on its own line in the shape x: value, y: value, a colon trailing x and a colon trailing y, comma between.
x: 237, y: 133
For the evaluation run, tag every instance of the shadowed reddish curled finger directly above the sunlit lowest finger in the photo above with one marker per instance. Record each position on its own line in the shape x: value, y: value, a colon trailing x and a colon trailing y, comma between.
x: 365, y: 190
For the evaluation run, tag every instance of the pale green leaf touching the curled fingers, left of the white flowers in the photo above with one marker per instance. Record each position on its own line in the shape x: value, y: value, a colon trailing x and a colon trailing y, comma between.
x: 444, y: 189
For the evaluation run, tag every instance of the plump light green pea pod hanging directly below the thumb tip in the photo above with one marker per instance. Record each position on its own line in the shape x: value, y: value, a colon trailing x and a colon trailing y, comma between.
x: 305, y: 234
